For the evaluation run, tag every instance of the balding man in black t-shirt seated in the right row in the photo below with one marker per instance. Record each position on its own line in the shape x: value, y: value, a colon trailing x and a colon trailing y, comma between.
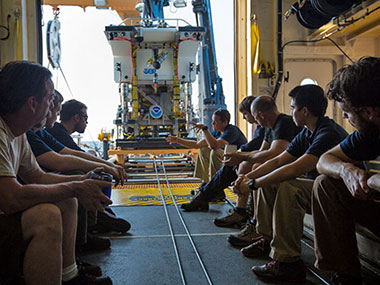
x: 280, y: 130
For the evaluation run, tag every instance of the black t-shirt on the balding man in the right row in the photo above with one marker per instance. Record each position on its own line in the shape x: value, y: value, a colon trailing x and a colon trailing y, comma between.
x: 283, y: 129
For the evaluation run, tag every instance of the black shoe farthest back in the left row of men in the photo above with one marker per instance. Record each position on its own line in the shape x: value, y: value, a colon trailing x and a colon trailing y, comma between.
x: 108, y: 222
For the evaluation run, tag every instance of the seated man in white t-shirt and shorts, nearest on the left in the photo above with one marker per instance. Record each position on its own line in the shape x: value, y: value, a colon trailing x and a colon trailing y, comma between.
x: 37, y: 218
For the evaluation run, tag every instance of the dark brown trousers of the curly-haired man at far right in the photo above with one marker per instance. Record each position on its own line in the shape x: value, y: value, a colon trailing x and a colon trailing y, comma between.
x: 335, y: 212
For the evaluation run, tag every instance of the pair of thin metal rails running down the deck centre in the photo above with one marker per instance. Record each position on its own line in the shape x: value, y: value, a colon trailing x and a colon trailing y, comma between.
x: 183, y: 278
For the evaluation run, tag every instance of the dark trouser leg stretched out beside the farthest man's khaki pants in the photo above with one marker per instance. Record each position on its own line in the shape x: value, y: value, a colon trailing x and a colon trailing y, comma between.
x: 221, y: 180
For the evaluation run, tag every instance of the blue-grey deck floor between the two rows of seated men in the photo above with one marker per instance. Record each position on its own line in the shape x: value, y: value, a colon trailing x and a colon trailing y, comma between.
x: 146, y: 255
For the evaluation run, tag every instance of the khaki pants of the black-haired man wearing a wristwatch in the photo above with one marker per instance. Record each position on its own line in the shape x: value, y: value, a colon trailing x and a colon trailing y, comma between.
x: 280, y: 212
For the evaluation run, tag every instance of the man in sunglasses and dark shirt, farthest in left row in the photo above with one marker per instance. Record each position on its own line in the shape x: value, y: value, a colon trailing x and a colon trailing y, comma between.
x: 73, y: 115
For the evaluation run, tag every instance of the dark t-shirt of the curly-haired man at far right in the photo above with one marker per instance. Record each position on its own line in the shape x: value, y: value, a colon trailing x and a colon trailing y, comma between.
x: 362, y: 146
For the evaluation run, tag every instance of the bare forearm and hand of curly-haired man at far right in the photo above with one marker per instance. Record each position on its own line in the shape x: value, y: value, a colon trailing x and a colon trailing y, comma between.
x: 336, y: 164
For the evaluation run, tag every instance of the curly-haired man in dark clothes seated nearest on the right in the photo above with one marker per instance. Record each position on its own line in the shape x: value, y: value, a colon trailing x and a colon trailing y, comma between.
x: 345, y: 194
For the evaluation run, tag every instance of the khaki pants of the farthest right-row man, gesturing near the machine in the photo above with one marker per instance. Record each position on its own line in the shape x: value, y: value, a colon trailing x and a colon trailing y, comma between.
x: 208, y: 163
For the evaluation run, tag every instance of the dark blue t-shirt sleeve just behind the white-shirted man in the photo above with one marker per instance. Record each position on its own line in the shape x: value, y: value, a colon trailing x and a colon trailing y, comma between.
x: 42, y: 142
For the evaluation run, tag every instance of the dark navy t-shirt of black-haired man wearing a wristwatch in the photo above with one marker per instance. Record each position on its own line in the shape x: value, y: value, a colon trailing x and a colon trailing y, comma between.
x: 326, y: 135
